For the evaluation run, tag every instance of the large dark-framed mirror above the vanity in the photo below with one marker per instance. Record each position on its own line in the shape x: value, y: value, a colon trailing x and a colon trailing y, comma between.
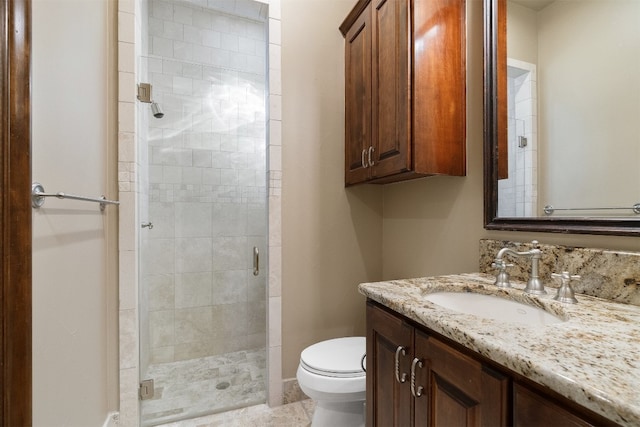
x: 562, y: 116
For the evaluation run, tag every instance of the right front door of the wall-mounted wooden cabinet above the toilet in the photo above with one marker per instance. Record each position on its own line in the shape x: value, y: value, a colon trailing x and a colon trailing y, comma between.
x: 391, y: 58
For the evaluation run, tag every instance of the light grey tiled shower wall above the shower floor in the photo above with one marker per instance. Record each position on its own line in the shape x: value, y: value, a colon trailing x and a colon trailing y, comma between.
x: 207, y: 182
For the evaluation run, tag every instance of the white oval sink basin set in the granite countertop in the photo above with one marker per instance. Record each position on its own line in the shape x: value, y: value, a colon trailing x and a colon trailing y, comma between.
x: 493, y: 308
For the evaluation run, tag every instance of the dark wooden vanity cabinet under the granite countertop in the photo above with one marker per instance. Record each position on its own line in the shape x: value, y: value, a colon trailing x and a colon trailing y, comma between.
x: 459, y: 387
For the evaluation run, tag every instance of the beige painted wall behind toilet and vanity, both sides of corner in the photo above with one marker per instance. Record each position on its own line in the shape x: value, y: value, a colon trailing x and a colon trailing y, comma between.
x: 332, y: 236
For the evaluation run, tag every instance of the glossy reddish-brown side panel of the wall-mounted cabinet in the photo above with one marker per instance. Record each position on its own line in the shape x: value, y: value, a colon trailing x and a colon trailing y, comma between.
x: 439, y: 81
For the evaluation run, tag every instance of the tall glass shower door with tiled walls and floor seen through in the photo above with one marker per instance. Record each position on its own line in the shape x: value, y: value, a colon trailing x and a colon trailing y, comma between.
x: 203, y: 207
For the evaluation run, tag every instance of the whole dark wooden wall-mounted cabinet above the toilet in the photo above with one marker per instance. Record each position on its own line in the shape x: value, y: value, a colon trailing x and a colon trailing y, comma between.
x: 405, y: 97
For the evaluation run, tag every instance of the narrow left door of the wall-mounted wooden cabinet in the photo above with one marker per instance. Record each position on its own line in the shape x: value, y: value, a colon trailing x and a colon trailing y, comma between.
x: 358, y: 99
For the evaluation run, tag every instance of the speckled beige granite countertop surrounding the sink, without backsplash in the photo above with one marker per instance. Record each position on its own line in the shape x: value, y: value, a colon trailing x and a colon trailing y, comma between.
x: 592, y: 358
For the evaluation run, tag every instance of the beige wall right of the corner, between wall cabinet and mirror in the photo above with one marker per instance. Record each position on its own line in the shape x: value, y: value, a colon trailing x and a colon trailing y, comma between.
x: 433, y: 226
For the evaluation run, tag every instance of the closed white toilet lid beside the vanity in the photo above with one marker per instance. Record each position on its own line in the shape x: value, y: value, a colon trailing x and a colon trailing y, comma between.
x: 340, y: 357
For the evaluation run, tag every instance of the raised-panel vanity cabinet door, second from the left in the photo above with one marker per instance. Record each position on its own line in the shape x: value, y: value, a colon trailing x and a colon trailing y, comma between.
x: 458, y: 390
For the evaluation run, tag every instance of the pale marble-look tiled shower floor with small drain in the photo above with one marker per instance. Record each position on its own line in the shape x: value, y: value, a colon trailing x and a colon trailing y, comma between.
x: 192, y: 388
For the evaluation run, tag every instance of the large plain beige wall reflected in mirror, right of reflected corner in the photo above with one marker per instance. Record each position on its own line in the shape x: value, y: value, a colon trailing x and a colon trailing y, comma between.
x: 589, y: 103
